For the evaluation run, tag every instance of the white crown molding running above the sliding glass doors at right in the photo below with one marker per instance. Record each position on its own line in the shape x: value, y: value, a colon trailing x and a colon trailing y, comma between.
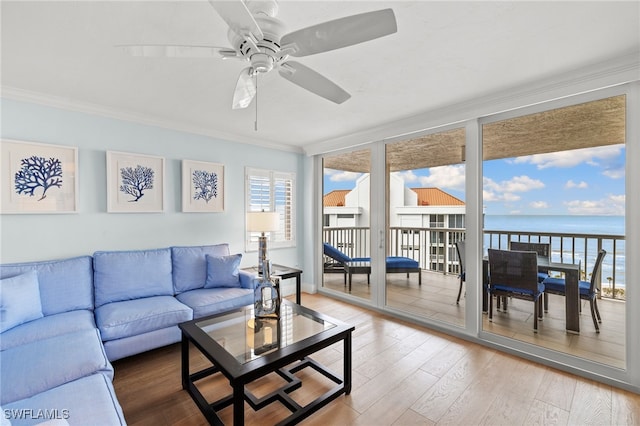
x: 615, y: 71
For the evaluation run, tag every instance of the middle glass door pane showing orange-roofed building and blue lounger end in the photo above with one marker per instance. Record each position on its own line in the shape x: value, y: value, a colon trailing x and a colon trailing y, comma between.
x: 425, y: 221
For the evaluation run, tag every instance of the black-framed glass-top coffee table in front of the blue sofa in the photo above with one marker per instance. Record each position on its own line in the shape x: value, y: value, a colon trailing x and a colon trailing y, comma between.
x: 244, y: 349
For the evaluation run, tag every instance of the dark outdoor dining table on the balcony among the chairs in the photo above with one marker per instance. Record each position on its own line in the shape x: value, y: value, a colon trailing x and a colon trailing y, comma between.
x: 572, y: 293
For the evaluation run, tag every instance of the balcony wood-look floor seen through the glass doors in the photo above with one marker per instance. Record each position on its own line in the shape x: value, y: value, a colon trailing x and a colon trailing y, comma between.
x: 436, y: 299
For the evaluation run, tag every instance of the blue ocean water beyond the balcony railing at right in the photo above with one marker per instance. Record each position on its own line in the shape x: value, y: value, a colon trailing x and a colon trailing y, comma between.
x: 591, y: 225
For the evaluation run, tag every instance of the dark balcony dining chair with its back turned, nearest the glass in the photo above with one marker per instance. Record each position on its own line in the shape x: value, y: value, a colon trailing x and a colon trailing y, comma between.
x: 515, y: 274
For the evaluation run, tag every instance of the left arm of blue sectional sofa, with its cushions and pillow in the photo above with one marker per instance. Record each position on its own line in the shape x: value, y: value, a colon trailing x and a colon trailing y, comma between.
x: 53, y: 365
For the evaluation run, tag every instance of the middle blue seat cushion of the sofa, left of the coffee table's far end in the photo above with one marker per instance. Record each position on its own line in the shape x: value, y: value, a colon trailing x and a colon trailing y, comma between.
x: 132, y: 317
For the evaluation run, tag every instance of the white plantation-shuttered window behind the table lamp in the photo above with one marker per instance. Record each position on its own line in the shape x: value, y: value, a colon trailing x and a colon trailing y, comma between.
x: 272, y: 191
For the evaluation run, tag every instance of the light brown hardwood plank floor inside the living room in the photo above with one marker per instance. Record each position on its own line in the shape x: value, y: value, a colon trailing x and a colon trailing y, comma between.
x: 403, y: 374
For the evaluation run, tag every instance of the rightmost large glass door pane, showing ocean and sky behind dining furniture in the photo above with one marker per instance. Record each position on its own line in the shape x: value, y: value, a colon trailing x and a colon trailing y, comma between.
x: 556, y: 178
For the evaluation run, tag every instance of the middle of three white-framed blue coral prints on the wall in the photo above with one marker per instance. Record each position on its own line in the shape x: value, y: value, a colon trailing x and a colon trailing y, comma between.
x: 135, y: 183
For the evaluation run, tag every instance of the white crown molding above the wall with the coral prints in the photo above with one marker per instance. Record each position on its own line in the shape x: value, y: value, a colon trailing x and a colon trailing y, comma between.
x: 69, y: 104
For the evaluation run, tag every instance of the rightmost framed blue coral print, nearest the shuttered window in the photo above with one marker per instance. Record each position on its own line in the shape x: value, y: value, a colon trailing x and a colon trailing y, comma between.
x: 202, y: 186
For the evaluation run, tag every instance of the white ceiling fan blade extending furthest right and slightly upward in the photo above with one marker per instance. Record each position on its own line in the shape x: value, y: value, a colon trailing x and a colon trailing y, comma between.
x: 340, y: 33
